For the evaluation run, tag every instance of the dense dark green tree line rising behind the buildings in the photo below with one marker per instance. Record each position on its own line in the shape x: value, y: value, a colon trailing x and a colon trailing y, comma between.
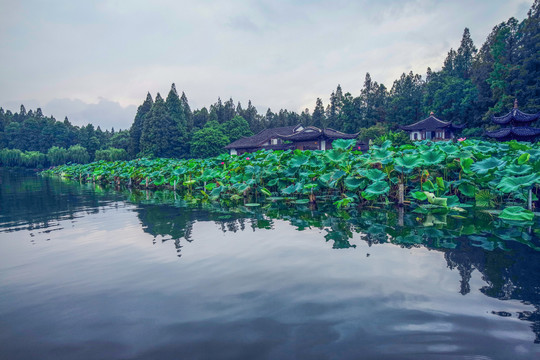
x: 472, y: 85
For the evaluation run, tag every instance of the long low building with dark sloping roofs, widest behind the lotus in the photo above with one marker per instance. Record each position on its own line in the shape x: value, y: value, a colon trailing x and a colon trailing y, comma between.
x: 290, y: 137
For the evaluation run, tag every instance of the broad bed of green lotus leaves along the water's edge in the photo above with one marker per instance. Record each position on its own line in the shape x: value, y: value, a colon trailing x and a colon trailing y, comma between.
x: 427, y: 175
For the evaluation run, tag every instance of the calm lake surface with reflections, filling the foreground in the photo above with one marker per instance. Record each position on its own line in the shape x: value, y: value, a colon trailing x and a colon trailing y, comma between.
x: 94, y: 273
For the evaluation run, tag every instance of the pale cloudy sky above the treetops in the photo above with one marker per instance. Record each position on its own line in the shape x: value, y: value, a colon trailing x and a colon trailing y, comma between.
x: 95, y: 61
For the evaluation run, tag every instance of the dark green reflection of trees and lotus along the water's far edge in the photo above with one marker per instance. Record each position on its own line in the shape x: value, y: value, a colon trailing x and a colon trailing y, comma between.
x: 506, y: 255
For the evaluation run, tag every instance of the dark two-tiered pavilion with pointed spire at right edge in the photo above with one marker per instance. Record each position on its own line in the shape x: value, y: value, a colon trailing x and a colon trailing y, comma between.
x: 516, y: 126
